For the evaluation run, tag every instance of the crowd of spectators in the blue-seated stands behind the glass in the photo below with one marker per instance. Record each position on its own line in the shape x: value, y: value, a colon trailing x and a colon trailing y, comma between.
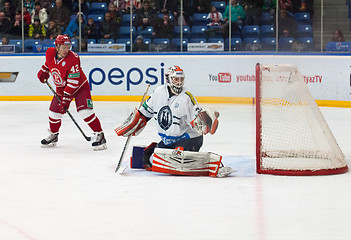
x: 45, y: 19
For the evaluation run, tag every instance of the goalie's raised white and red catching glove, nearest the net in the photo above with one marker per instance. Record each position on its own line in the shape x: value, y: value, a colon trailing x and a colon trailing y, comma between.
x: 206, y: 122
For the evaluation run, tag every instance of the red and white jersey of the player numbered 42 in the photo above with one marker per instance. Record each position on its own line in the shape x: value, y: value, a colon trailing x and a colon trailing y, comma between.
x: 66, y: 73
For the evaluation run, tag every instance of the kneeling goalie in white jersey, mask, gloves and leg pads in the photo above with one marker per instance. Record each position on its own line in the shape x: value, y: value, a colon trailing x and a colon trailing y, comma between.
x: 181, y: 124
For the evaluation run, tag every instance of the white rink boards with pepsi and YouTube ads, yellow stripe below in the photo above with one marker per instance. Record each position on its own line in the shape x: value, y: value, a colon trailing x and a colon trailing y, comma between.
x: 212, y: 78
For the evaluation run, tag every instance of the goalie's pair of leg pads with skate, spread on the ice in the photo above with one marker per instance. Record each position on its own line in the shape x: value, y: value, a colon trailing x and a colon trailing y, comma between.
x: 179, y: 162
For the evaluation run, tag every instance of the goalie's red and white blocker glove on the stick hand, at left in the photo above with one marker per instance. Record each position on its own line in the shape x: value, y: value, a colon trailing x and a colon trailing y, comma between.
x: 132, y: 126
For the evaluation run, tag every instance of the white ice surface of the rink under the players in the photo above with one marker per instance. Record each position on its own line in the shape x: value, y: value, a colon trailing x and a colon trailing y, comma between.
x: 71, y: 192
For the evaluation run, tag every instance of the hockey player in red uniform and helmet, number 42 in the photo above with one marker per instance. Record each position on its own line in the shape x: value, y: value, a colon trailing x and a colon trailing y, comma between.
x: 71, y: 83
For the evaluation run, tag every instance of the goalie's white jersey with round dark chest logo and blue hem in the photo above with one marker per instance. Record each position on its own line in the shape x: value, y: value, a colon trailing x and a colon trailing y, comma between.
x: 173, y: 114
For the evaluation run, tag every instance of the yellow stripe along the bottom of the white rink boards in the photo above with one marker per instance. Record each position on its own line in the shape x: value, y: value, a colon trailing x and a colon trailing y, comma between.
x: 219, y: 100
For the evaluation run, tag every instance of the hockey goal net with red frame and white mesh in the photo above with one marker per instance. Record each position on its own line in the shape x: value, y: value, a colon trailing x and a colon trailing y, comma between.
x: 292, y: 136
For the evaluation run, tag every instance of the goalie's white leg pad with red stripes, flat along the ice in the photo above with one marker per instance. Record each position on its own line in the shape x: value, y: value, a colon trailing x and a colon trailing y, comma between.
x: 178, y: 162
